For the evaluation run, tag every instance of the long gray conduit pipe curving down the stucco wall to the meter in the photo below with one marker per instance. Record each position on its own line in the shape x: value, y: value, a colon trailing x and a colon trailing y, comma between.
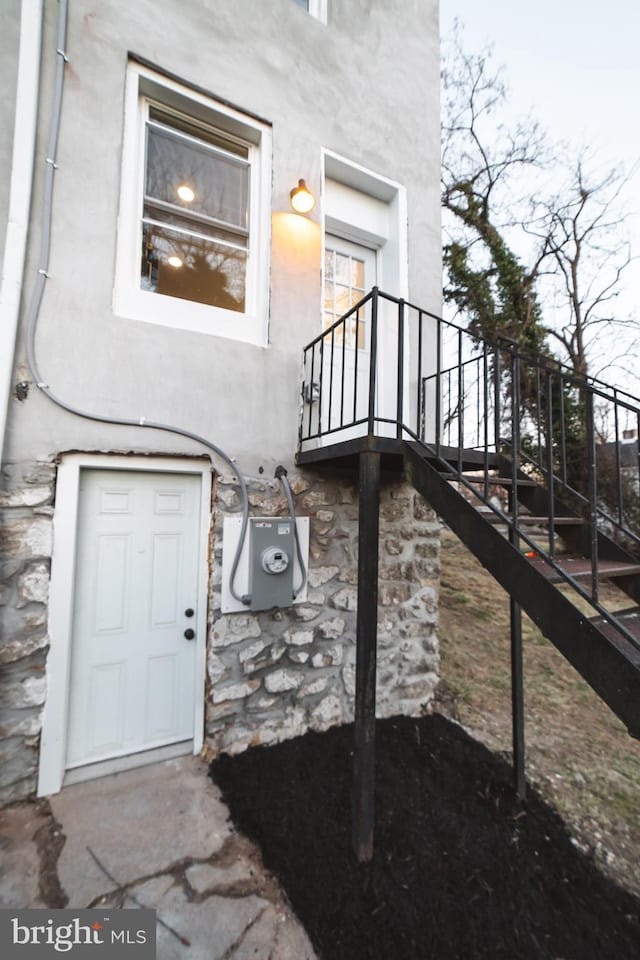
x: 33, y: 311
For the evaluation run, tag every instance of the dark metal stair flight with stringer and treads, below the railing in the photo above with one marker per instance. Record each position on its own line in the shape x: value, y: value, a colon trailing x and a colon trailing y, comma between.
x: 605, y: 647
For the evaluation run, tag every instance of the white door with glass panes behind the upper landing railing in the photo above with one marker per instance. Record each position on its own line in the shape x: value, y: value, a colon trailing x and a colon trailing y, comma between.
x: 349, y: 273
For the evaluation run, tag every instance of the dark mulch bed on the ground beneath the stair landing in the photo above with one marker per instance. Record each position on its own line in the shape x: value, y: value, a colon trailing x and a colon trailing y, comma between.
x: 460, y: 869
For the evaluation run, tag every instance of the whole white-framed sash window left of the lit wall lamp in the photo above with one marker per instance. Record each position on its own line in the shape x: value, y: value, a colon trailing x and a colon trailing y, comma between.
x: 194, y: 219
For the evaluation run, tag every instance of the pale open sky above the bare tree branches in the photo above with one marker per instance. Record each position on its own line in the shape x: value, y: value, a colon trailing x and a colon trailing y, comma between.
x: 575, y: 64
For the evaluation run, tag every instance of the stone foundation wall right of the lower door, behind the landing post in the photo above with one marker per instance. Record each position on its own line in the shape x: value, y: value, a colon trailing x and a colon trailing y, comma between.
x: 277, y: 674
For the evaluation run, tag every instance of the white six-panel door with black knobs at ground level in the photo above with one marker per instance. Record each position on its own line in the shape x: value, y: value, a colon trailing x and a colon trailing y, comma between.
x: 132, y: 681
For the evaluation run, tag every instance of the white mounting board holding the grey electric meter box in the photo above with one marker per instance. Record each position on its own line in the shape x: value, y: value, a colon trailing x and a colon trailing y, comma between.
x: 269, y: 569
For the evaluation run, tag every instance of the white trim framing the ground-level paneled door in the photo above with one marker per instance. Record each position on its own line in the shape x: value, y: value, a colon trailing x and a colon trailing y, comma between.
x: 60, y: 627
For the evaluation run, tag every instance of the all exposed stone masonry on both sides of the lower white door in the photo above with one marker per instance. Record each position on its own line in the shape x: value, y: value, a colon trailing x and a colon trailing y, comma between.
x: 270, y: 676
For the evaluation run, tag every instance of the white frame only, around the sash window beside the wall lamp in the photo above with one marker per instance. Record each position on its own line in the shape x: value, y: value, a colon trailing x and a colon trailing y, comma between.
x: 145, y: 87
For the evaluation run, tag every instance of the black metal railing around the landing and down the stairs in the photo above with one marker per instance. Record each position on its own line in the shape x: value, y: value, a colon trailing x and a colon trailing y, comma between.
x: 390, y: 368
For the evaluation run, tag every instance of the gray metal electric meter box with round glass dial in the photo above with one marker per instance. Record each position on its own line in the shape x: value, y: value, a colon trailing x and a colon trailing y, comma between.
x: 271, y: 552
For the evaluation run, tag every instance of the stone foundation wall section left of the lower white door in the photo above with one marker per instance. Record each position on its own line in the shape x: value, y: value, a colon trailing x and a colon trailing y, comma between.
x: 26, y: 511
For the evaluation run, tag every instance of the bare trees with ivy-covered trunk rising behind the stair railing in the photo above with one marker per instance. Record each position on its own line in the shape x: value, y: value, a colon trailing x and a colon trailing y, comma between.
x: 560, y: 285
